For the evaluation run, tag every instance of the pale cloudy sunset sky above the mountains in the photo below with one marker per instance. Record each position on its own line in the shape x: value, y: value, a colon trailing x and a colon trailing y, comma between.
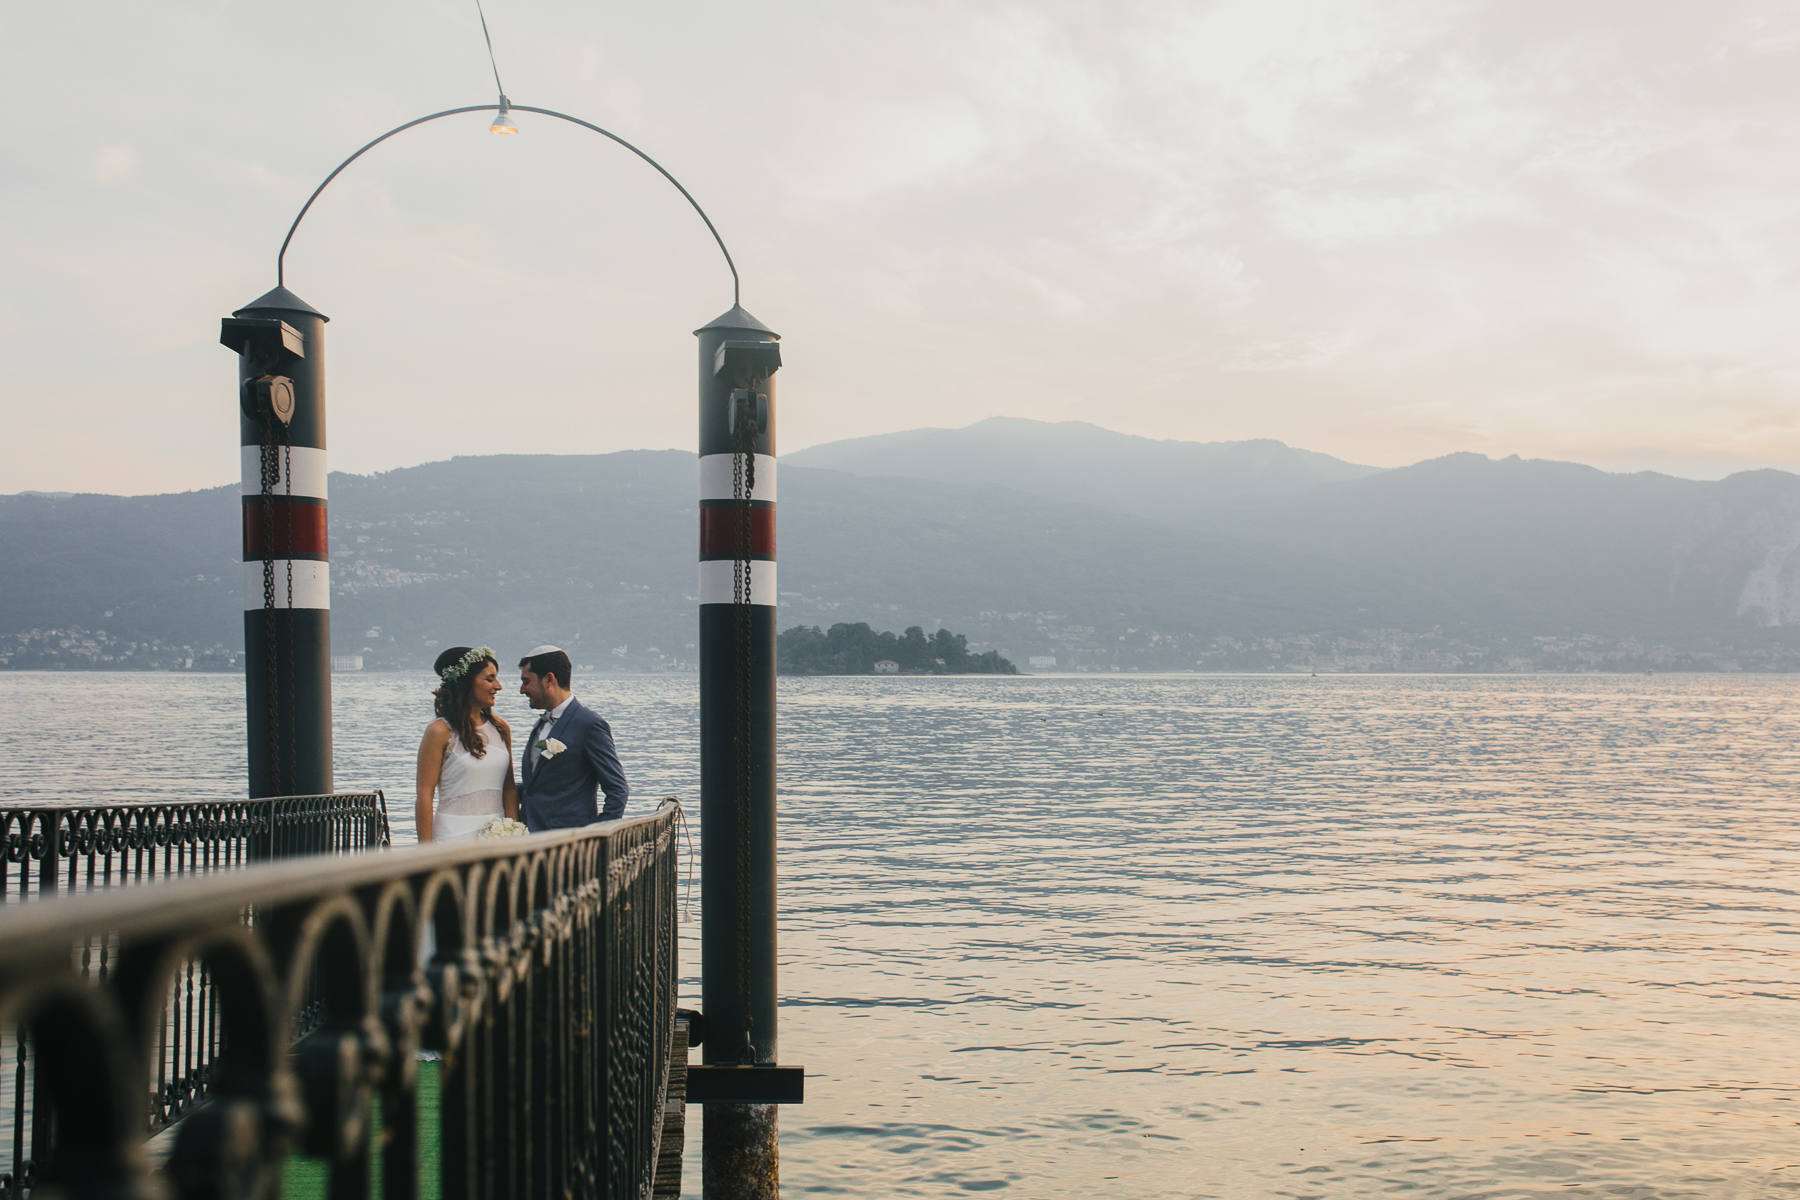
x: 1378, y: 229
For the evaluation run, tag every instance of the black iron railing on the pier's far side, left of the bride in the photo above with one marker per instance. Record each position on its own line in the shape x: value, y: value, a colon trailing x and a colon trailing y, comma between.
x: 73, y: 848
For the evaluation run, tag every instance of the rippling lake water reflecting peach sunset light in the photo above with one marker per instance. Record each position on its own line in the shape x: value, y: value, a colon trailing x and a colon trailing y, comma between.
x: 1214, y: 936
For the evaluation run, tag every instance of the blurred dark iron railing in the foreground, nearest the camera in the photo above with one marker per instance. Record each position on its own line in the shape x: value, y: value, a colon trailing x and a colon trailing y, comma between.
x: 541, y: 969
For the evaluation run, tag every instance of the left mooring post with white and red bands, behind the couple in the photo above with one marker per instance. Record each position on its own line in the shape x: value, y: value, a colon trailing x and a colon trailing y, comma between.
x: 287, y: 584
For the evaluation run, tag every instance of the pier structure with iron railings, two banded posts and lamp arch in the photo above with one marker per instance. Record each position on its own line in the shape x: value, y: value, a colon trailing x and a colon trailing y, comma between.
x: 489, y: 1021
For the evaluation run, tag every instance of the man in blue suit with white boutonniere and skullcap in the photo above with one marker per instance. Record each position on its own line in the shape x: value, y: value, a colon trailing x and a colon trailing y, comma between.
x: 570, y: 755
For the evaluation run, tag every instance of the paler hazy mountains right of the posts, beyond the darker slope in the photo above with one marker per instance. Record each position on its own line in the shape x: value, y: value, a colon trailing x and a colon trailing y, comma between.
x: 1491, y: 550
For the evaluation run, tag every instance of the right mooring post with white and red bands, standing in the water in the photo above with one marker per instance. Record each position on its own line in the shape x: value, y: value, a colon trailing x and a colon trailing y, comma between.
x: 739, y: 357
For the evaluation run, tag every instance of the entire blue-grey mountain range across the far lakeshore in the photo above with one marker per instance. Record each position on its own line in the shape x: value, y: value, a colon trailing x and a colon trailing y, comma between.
x: 1068, y: 542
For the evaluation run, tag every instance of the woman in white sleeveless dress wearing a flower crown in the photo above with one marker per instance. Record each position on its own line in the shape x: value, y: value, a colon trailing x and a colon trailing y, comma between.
x: 467, y: 755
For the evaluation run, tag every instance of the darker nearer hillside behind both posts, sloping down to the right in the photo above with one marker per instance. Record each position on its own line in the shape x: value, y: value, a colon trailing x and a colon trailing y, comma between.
x: 598, y: 553
